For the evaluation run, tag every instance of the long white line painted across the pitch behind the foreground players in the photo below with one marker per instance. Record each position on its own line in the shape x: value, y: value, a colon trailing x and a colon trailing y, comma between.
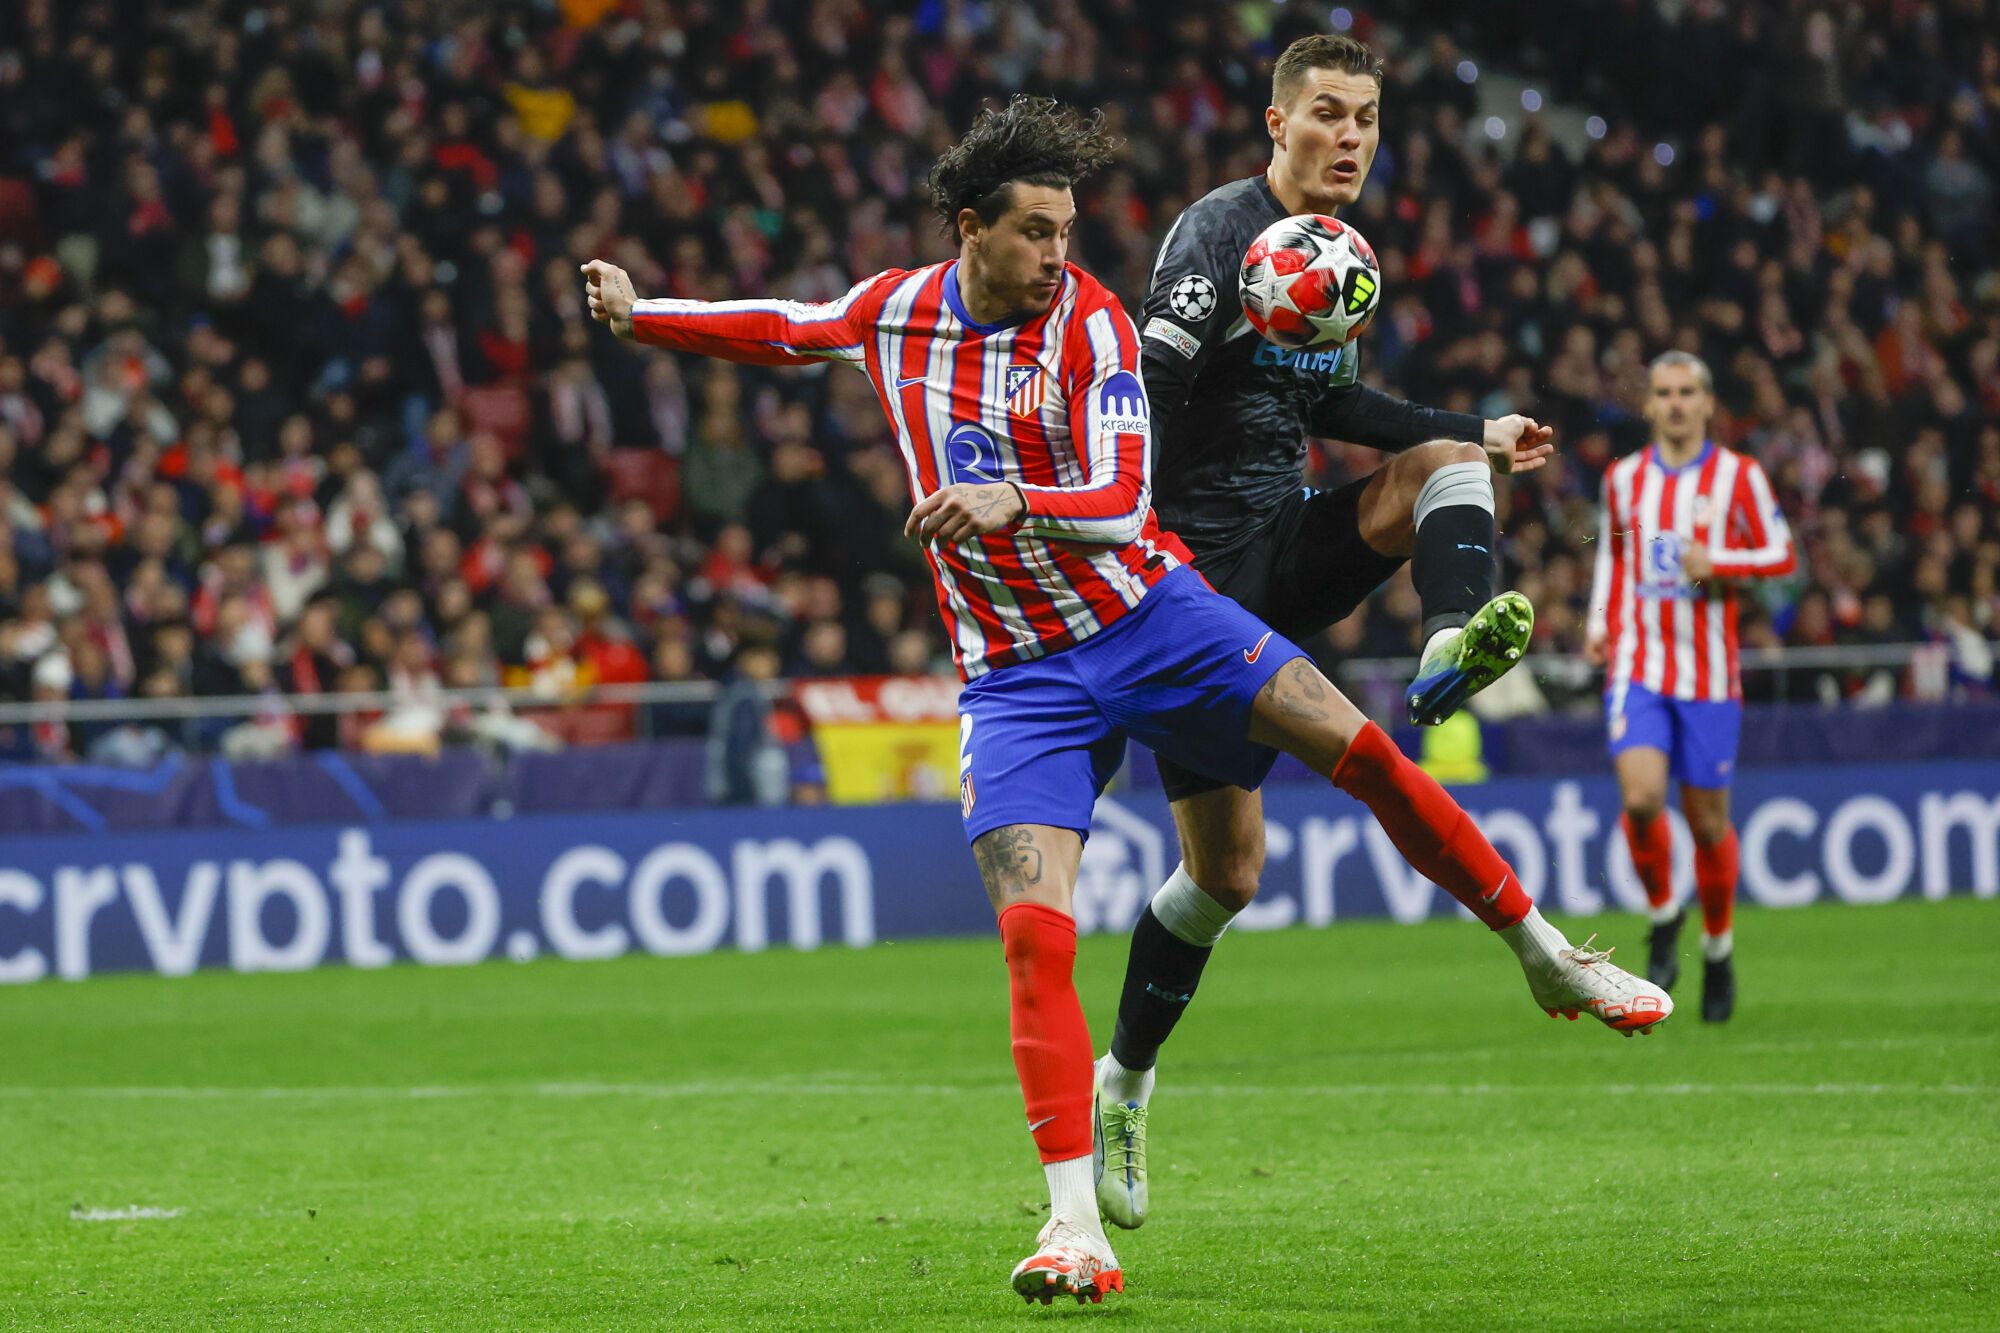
x: 665, y: 1092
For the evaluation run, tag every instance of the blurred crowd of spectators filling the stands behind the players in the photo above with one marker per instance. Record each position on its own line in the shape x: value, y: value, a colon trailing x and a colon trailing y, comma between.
x: 299, y: 395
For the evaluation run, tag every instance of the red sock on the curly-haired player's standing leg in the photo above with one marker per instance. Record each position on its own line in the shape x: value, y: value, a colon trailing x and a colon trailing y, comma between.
x: 1051, y: 1038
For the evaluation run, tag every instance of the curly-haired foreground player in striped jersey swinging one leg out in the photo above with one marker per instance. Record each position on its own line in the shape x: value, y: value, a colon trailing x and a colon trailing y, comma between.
x: 1011, y: 379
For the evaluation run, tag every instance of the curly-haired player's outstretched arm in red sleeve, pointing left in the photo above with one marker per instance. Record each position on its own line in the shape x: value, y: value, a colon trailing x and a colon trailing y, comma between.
x: 769, y: 333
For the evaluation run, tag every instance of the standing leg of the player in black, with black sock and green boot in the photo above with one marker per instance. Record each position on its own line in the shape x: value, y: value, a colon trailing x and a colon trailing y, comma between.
x: 1223, y: 846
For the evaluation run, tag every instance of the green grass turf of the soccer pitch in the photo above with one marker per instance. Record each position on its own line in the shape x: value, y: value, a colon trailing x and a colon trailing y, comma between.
x: 1359, y: 1128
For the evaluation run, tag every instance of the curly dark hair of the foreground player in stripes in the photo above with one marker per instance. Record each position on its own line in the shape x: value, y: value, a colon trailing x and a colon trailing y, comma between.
x: 1035, y: 141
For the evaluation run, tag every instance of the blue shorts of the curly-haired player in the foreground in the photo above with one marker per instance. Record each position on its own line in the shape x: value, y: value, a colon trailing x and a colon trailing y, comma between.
x: 1039, y: 742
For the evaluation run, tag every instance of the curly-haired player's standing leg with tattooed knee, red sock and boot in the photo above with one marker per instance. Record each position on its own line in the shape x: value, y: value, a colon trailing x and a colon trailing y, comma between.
x: 1031, y: 874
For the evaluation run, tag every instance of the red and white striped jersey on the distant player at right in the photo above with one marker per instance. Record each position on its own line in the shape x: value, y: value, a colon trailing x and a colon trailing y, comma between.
x: 1659, y: 627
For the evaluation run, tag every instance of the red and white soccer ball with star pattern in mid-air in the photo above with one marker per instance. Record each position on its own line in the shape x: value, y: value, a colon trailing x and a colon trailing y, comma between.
x: 1309, y: 281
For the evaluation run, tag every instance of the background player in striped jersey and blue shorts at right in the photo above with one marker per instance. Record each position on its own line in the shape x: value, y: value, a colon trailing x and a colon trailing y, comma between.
x: 1685, y: 521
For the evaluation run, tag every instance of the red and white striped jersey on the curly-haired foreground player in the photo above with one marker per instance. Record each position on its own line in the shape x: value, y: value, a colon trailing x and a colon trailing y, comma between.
x: 1053, y: 405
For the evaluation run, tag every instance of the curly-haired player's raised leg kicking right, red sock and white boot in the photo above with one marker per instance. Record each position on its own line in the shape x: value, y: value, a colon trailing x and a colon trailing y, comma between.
x: 1299, y: 712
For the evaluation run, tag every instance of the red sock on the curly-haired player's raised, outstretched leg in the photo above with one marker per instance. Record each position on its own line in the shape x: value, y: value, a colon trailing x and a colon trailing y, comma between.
x: 1429, y: 830
